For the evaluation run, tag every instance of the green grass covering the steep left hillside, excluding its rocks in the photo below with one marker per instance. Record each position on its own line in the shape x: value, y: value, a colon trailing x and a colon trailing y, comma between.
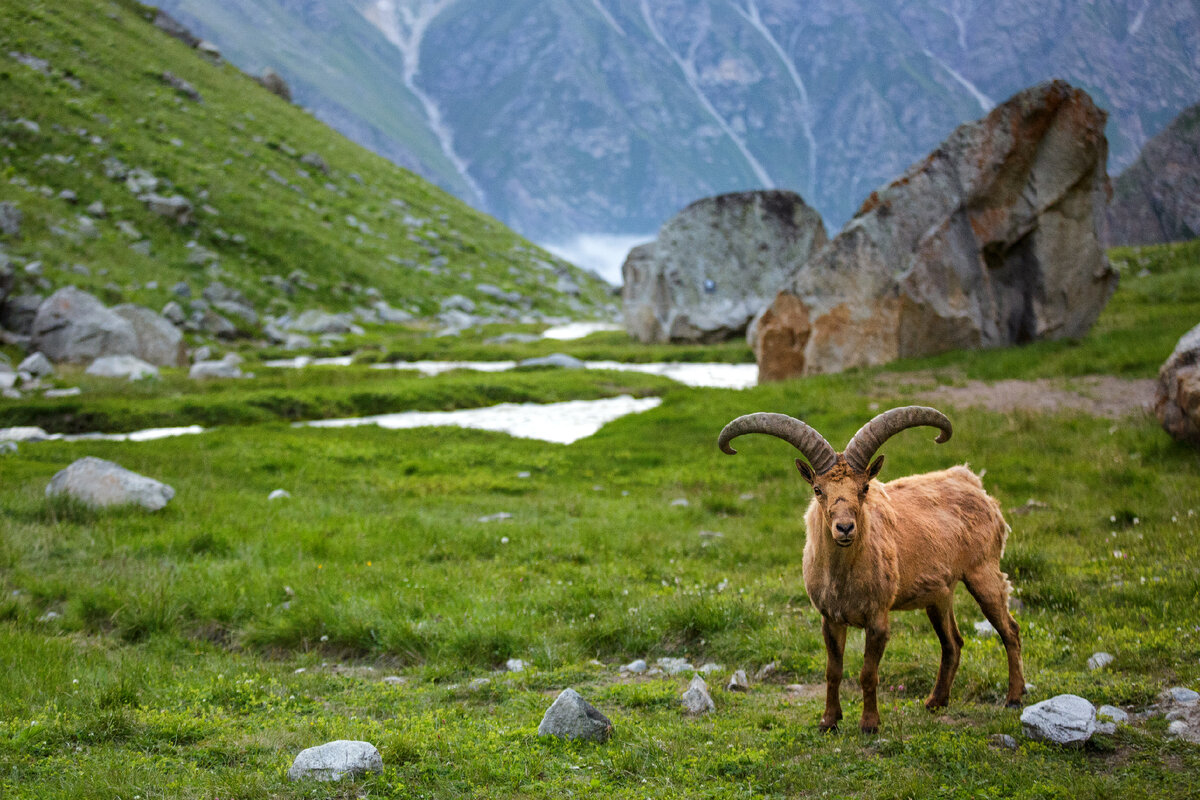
x: 219, y: 153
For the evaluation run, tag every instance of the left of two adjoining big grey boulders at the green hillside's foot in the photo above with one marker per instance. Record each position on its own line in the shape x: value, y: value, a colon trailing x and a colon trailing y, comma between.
x: 73, y: 326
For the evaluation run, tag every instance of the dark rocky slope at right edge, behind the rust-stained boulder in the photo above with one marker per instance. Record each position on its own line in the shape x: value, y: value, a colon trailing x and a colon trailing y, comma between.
x: 1159, y: 199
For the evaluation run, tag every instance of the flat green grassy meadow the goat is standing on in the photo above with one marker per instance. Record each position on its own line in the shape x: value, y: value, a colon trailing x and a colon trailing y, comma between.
x: 193, y: 653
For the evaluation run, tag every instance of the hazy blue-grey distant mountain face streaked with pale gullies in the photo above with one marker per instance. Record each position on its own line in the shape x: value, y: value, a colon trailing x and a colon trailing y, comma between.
x: 611, y: 116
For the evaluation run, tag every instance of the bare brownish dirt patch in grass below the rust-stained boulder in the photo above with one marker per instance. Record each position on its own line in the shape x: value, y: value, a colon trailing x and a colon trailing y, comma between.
x: 1096, y: 395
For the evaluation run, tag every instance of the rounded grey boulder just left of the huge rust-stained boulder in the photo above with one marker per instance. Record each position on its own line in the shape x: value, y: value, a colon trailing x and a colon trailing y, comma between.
x: 717, y: 264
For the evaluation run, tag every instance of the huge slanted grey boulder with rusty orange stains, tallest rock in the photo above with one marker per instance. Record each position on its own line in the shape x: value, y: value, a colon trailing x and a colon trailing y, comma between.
x: 991, y: 240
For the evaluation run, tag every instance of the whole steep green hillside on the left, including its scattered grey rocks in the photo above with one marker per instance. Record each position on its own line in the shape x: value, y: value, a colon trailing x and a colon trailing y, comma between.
x: 145, y: 171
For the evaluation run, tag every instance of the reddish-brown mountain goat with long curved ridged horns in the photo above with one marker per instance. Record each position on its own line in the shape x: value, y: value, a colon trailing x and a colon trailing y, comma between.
x: 875, y: 548
